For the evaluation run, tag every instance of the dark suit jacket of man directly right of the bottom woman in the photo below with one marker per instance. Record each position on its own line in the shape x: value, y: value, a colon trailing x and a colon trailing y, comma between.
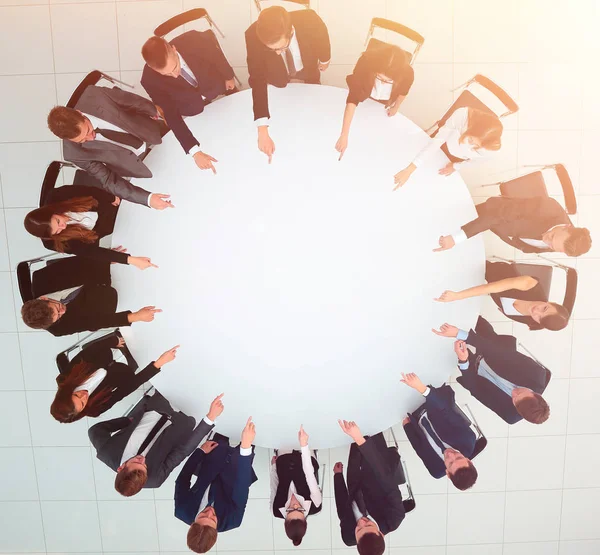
x: 371, y: 483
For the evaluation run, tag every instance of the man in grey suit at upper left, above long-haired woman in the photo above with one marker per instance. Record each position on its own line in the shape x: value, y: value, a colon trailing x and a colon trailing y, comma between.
x: 106, y: 134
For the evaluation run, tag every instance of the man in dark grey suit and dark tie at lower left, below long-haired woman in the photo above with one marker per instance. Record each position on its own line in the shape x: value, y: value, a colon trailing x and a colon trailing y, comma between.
x: 144, y: 447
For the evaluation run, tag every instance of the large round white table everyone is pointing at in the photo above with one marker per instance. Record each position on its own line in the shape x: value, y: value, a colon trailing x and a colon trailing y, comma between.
x: 301, y: 289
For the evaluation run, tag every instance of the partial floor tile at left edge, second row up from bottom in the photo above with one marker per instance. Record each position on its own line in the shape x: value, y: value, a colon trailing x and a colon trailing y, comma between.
x: 18, y: 464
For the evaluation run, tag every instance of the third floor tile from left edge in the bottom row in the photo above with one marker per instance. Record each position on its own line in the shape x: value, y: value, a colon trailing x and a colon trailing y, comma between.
x: 117, y: 520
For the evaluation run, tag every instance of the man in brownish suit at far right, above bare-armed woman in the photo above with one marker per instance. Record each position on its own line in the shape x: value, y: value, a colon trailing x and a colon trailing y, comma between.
x: 536, y: 224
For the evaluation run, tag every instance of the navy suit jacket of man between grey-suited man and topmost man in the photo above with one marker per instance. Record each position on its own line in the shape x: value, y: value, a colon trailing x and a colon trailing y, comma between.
x: 176, y: 96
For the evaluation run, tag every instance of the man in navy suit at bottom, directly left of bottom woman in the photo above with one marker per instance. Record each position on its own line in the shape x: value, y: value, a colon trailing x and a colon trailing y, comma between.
x: 217, y: 500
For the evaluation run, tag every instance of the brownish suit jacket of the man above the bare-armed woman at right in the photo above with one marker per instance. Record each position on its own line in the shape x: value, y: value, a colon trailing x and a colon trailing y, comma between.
x: 518, y: 218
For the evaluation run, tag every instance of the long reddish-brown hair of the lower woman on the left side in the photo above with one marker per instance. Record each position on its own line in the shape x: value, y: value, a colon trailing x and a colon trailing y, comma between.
x: 63, y: 408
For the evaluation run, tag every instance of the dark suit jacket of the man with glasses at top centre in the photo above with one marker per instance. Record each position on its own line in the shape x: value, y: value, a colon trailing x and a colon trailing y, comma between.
x: 265, y: 66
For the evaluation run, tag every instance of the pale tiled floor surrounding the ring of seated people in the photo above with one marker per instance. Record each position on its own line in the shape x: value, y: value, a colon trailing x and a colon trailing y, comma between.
x: 539, y: 491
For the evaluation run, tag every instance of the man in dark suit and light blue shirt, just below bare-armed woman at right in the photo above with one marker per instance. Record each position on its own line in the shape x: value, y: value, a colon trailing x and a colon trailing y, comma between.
x: 497, y: 375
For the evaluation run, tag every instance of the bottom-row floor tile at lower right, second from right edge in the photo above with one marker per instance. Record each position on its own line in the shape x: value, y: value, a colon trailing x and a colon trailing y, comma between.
x: 532, y: 516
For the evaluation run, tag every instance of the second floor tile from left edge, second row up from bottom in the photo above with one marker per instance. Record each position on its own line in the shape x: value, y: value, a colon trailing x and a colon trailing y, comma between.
x: 65, y: 473
